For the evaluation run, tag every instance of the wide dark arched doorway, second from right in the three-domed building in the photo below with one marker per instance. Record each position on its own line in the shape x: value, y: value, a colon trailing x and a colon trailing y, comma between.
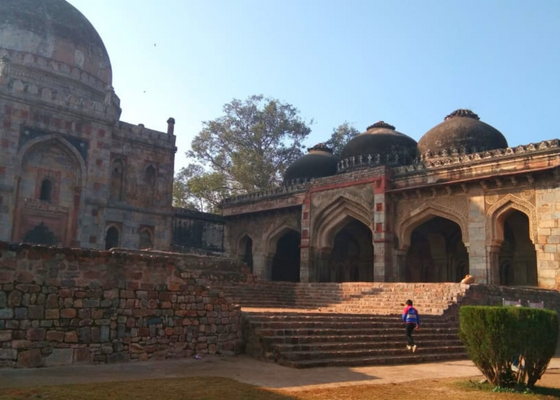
x: 437, y: 252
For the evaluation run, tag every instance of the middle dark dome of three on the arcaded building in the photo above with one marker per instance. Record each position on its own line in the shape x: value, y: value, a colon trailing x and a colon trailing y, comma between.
x: 382, y: 143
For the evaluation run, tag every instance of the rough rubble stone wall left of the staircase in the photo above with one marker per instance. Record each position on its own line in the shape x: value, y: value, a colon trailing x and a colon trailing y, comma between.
x: 64, y: 306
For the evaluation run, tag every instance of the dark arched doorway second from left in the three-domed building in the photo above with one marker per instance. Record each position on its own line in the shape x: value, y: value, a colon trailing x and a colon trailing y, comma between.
x: 286, y: 261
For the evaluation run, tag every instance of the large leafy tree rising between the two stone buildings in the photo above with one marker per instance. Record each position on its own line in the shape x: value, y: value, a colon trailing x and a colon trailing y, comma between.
x: 247, y: 149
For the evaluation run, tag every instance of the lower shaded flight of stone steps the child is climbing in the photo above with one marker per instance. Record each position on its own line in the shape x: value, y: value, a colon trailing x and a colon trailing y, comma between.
x: 308, y: 339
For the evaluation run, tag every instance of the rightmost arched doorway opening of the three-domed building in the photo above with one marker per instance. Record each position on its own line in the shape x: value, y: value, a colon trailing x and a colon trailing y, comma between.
x: 517, y: 259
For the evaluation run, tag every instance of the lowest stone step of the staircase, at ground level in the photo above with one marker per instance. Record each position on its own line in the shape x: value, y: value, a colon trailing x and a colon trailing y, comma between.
x: 408, y: 358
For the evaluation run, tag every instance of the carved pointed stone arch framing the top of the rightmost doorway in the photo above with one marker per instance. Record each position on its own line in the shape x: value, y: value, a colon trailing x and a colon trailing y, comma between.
x: 496, y: 213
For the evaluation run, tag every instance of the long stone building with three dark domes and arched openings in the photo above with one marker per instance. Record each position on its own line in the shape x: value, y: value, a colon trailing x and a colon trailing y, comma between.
x: 392, y: 210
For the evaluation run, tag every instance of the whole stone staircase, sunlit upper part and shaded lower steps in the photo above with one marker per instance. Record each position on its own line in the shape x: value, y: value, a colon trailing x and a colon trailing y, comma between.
x: 306, y: 325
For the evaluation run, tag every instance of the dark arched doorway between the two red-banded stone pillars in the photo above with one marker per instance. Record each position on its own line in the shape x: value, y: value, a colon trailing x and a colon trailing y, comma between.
x: 351, y: 258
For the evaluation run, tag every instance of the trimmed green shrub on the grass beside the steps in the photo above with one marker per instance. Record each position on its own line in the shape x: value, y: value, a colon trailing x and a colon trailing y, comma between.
x: 495, y: 336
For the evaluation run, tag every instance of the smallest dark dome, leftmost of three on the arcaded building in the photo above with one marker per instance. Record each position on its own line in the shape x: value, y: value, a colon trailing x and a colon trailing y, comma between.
x: 317, y: 163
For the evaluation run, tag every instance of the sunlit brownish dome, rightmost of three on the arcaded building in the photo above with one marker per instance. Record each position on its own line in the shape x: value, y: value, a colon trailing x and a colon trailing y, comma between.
x: 461, y: 130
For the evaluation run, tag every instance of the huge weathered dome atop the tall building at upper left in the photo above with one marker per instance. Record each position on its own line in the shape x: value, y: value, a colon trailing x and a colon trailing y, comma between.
x: 53, y: 35
